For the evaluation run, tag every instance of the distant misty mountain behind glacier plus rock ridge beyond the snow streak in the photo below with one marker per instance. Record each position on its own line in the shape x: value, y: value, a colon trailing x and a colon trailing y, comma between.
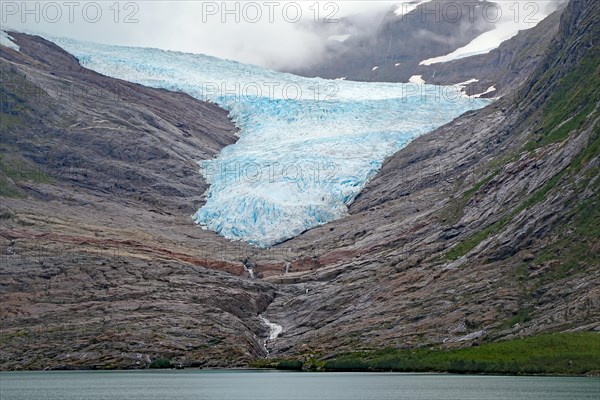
x: 434, y: 29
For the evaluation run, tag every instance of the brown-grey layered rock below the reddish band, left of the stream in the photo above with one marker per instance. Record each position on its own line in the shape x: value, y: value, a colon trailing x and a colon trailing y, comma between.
x: 93, y: 311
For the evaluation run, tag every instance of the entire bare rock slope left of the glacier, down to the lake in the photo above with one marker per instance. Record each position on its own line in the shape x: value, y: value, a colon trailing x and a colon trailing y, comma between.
x: 101, y: 265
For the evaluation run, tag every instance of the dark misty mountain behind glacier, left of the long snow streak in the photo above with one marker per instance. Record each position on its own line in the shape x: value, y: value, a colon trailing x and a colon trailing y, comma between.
x: 389, y: 48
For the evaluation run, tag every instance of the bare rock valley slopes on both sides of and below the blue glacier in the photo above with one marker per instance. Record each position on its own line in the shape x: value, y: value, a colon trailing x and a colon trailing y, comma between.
x: 483, y: 230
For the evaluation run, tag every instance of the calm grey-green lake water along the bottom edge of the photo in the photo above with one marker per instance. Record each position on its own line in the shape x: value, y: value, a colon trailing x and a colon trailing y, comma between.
x: 267, y: 385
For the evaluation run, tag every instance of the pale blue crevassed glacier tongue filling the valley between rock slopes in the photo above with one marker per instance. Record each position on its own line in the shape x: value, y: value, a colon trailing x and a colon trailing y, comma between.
x: 307, y: 147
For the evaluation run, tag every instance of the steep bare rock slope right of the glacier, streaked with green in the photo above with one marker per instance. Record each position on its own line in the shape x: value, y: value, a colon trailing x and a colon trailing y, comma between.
x: 487, y: 228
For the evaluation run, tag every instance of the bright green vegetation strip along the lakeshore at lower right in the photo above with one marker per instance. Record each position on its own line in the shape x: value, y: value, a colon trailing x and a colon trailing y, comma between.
x: 559, y: 353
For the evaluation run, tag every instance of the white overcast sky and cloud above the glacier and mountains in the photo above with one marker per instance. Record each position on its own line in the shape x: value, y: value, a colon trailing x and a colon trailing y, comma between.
x: 270, y: 33
